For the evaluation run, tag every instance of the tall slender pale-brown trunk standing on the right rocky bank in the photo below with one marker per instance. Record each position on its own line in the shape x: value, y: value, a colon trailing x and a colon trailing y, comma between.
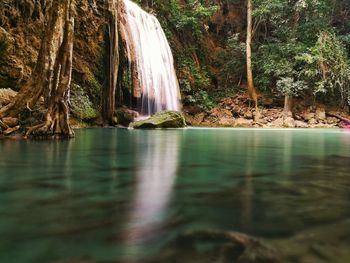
x: 250, y: 81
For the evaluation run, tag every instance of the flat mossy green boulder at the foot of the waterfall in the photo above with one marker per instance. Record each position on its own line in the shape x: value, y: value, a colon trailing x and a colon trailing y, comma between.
x: 167, y: 119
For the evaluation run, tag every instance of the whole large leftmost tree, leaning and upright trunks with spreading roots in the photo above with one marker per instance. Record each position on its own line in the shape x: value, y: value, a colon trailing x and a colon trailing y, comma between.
x: 52, y: 74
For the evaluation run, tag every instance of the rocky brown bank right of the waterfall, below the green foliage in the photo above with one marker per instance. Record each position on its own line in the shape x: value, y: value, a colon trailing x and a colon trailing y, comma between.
x: 236, y: 112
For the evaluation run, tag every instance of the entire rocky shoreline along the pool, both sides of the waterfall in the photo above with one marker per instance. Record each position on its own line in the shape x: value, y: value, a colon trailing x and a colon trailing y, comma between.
x: 230, y: 112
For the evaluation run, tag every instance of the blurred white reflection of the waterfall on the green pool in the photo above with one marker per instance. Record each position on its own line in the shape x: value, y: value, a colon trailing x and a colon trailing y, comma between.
x: 158, y: 156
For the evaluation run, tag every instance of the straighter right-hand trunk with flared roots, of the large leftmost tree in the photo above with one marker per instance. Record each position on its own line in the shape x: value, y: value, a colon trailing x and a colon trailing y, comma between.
x: 56, y: 123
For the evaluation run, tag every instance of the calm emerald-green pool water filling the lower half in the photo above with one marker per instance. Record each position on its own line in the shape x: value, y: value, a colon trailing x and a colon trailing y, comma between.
x: 125, y: 196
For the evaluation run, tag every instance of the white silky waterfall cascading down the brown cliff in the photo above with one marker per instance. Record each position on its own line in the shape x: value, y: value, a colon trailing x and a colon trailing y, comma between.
x: 151, y: 61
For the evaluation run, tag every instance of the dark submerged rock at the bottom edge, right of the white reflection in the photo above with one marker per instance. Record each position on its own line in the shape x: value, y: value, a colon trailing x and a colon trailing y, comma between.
x: 218, y: 246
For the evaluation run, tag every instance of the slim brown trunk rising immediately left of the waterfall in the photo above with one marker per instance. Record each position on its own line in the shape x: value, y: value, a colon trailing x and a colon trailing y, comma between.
x: 112, y: 64
